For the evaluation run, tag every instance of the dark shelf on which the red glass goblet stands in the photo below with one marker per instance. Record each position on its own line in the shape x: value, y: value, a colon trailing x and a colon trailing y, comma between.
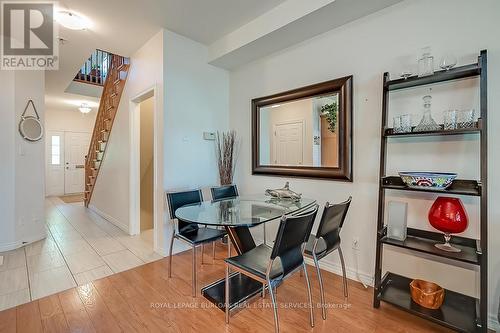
x: 424, y: 241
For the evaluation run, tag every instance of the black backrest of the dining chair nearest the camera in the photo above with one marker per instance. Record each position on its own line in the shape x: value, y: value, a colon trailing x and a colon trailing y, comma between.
x: 293, y: 232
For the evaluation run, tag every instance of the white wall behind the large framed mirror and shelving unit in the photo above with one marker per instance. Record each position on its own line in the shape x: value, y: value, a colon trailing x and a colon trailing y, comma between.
x: 388, y: 40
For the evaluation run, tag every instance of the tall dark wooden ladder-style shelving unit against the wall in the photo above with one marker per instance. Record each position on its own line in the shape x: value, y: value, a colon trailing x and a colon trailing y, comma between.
x: 459, y: 312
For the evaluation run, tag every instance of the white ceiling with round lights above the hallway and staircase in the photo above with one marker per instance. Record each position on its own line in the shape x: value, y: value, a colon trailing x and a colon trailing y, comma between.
x: 201, y: 20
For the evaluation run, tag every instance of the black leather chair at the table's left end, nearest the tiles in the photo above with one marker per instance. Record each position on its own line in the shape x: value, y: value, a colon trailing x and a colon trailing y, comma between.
x: 187, y: 232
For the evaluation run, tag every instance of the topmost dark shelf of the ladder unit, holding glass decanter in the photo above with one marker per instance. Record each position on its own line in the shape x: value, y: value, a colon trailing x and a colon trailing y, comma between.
x: 438, y: 76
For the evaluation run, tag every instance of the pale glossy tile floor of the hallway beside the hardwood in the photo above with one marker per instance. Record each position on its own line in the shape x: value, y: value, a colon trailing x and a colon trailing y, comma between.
x: 80, y: 247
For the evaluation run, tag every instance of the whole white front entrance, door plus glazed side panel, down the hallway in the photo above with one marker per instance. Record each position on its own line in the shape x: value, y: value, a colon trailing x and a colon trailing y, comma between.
x: 66, y: 162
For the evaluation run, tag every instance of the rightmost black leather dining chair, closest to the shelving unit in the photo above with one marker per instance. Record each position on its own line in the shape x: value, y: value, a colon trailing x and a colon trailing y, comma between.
x: 327, y: 240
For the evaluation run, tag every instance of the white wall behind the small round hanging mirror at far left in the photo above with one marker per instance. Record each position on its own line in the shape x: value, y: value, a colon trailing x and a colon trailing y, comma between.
x: 22, y: 169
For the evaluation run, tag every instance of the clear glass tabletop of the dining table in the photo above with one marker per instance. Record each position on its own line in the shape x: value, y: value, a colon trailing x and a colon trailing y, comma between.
x: 241, y: 211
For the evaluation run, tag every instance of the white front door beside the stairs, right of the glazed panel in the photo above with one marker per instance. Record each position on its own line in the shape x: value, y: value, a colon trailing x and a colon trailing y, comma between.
x: 76, y: 147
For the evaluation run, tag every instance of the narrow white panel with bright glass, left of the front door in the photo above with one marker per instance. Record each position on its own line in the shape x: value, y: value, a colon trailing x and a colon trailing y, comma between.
x: 55, y: 163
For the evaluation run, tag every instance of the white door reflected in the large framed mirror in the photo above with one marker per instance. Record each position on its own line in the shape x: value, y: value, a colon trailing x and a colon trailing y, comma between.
x: 289, y: 143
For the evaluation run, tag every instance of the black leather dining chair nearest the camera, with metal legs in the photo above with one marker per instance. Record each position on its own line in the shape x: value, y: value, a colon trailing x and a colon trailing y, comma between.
x: 260, y: 263
